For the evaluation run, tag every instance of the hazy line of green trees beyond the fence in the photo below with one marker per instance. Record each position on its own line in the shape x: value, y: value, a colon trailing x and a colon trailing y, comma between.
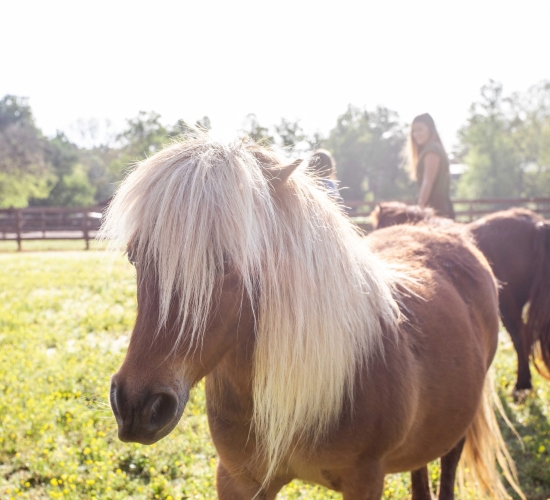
x: 505, y: 143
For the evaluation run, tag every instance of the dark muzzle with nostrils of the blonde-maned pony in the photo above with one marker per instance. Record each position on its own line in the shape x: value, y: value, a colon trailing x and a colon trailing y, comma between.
x: 145, y: 417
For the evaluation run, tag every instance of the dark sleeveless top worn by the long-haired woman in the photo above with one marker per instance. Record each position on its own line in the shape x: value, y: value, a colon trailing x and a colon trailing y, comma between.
x: 439, y: 199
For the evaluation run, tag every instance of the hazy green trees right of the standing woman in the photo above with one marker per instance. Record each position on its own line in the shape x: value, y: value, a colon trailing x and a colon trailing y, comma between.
x: 506, y: 144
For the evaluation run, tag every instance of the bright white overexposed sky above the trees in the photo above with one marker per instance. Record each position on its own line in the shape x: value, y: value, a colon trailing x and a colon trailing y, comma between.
x: 307, y: 60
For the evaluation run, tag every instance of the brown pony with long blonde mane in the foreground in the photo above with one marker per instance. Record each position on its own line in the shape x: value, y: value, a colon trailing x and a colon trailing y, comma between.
x: 328, y: 357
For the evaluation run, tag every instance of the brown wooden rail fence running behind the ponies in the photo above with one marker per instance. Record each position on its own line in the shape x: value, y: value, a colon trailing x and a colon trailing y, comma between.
x: 83, y: 223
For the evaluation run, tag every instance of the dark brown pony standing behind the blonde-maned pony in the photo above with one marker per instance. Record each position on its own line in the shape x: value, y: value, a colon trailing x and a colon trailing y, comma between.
x: 516, y: 242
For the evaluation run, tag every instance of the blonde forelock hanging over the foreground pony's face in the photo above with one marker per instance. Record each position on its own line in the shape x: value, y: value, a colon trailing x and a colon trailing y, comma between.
x: 185, y: 210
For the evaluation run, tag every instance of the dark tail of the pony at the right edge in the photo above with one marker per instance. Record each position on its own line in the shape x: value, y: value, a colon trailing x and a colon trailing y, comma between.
x: 537, y: 330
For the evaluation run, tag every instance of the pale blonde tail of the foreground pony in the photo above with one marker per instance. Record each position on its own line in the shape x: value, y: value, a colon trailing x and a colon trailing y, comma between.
x: 485, y: 448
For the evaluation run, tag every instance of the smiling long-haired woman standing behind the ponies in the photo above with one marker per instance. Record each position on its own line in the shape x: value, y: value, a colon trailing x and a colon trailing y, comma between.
x: 430, y: 166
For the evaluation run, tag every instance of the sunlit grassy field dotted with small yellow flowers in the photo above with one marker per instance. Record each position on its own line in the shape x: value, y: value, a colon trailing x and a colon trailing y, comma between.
x: 64, y: 325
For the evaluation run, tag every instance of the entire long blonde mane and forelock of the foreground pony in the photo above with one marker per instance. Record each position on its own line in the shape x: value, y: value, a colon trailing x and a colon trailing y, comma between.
x: 323, y: 301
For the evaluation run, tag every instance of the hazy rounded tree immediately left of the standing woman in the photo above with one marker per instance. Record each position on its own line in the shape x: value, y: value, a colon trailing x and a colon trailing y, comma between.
x: 367, y: 148
